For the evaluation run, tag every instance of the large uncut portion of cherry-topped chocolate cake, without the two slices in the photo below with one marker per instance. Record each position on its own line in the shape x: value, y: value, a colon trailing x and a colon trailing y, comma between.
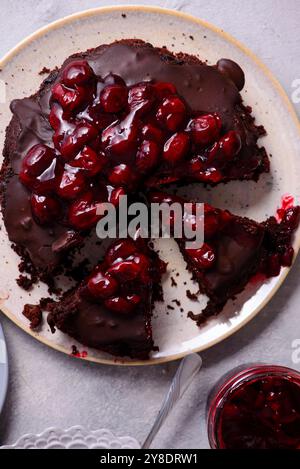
x: 111, y: 121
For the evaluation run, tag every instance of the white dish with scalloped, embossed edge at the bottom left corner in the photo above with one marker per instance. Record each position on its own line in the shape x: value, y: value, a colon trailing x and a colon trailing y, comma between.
x: 74, y: 438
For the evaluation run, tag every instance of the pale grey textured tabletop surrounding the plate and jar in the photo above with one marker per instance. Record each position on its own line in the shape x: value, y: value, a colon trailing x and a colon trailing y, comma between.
x: 49, y: 389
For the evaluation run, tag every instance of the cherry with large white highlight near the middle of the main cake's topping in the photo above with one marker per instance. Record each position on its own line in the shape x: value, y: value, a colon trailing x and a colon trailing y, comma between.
x: 120, y: 138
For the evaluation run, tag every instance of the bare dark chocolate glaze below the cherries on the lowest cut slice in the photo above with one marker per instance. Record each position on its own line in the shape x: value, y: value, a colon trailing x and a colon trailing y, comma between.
x: 95, y: 326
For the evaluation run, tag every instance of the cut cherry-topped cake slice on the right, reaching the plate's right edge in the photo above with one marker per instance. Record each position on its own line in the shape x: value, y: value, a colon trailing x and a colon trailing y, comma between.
x: 234, y: 250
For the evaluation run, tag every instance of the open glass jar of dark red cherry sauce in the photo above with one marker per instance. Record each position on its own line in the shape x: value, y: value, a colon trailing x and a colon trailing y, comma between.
x: 257, y: 407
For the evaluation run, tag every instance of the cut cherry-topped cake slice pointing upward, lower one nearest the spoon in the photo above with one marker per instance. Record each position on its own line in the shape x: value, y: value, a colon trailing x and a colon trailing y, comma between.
x: 111, y: 309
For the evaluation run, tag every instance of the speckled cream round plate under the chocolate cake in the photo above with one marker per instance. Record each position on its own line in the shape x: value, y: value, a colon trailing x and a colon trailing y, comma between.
x: 175, y: 334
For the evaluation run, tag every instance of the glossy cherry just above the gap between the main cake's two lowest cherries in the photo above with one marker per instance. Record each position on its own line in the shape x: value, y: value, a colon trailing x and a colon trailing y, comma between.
x: 72, y: 183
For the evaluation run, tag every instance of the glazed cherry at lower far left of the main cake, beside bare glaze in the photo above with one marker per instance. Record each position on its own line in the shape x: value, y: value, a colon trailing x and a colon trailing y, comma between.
x: 45, y: 209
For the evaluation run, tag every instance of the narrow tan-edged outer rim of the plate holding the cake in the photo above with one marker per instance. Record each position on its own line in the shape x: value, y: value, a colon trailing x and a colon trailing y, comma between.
x: 278, y: 87
